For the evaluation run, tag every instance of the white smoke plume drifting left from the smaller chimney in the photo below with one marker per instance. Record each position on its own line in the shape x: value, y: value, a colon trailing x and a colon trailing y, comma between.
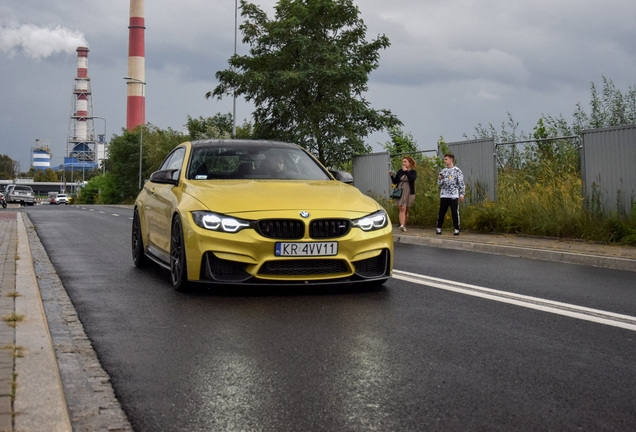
x: 39, y: 42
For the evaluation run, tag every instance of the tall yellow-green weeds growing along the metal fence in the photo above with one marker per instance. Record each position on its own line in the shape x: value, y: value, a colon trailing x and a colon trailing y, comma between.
x: 543, y: 203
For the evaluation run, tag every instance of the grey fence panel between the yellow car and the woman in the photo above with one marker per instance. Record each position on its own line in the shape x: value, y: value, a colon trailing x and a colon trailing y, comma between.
x: 371, y: 174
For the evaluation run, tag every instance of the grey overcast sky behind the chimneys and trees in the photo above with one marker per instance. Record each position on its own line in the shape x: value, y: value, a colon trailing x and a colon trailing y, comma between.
x: 452, y: 64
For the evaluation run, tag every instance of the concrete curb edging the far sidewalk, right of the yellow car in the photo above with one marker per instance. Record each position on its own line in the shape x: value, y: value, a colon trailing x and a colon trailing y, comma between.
x: 522, y: 252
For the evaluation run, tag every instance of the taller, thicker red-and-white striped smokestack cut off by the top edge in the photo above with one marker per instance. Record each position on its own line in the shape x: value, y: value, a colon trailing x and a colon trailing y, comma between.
x: 136, y: 103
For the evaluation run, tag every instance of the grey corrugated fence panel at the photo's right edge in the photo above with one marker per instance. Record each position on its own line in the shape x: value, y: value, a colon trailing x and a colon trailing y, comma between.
x: 608, y: 168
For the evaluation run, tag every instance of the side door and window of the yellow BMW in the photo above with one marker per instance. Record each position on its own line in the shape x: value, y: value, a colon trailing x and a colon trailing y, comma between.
x: 163, y: 202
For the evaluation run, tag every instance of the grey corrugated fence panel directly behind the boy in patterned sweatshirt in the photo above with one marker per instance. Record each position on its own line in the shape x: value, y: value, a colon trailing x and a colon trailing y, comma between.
x: 476, y: 159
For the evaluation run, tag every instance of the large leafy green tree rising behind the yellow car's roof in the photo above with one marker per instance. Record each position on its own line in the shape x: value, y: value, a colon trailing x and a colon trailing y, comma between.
x: 306, y: 73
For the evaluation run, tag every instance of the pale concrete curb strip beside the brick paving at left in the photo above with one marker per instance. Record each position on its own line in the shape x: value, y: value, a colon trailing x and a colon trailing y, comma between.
x: 39, y: 396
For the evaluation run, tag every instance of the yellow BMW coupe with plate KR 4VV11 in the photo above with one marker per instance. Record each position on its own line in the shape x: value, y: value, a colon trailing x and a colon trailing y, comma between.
x: 250, y: 212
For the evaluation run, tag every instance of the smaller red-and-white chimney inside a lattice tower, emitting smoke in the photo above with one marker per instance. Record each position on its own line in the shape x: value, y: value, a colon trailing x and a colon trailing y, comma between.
x: 80, y: 146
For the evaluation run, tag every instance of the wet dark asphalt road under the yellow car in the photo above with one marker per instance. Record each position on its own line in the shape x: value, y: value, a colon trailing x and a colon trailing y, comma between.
x: 409, y: 356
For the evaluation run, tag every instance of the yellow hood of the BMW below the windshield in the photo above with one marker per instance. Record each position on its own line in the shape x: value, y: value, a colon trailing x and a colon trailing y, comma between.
x: 243, y: 196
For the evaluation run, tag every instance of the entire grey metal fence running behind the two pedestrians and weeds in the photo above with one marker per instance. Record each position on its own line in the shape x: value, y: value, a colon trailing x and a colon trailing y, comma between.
x: 607, y: 158
